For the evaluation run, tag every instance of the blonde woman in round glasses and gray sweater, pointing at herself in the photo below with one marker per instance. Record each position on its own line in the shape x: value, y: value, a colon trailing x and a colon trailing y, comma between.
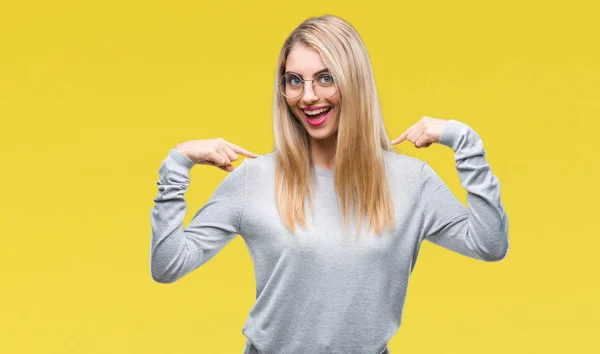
x: 318, y: 290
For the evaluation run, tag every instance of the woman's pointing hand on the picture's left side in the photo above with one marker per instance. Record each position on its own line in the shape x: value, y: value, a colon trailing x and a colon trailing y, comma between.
x: 215, y: 152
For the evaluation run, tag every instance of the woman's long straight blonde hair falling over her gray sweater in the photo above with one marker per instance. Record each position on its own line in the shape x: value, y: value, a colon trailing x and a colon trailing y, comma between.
x: 359, y: 169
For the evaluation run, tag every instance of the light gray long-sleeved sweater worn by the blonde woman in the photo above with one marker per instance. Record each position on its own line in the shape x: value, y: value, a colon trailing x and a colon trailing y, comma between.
x: 318, y: 291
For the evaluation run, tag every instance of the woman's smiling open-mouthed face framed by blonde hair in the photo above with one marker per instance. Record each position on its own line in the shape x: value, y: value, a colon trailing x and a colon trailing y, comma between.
x: 306, y: 63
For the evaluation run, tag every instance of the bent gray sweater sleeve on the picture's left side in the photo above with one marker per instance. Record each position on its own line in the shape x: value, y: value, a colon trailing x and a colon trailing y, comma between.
x: 175, y: 251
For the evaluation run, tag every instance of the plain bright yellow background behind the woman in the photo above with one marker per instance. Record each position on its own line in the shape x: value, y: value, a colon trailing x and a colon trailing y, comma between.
x: 93, y: 94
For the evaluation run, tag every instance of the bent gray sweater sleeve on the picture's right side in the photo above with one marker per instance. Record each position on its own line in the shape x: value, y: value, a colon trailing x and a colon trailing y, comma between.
x: 479, y: 231
